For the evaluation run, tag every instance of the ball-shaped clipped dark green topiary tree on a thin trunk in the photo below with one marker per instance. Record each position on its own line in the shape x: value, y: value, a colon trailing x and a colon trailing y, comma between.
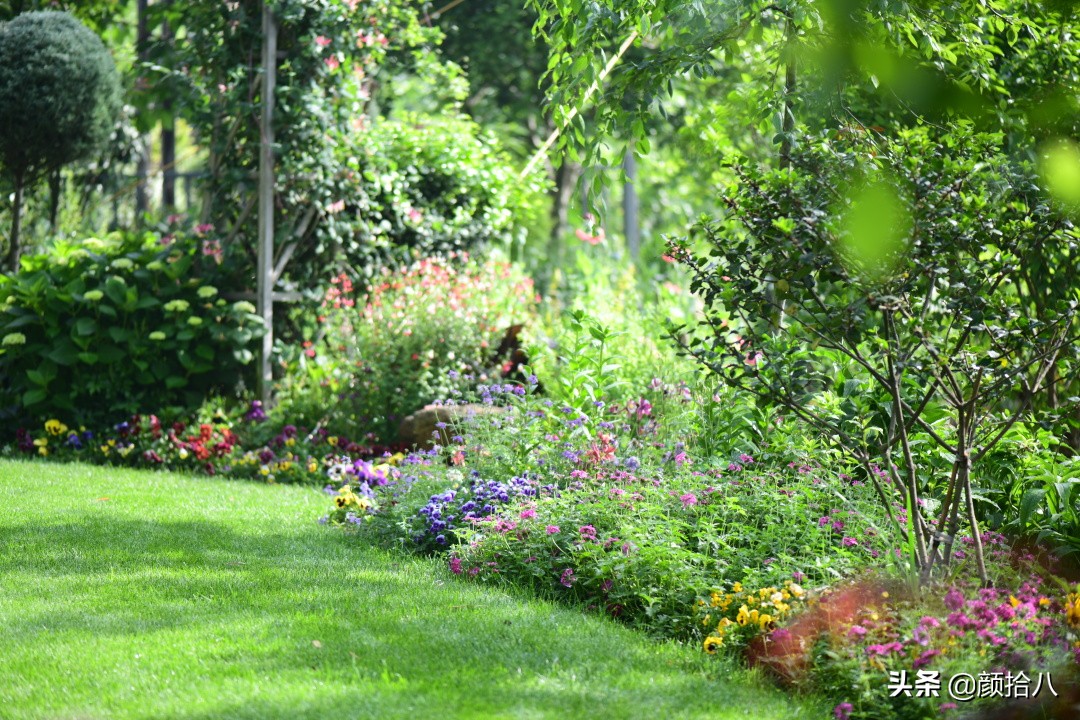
x: 60, y: 96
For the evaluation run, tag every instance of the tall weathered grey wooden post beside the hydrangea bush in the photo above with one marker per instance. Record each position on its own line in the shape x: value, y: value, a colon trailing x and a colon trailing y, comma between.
x: 265, y: 280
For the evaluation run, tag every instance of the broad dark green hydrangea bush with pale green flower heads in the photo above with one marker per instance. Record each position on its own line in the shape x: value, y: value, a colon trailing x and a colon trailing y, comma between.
x: 115, y: 327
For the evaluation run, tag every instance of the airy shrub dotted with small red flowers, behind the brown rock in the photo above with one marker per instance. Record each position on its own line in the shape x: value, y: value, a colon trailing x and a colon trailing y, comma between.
x: 410, y: 339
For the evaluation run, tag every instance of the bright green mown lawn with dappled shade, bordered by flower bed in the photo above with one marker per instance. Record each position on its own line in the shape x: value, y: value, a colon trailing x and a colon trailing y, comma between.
x: 147, y: 595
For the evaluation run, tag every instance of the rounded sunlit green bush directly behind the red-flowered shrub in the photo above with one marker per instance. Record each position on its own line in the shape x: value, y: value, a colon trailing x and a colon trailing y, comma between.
x: 426, y: 186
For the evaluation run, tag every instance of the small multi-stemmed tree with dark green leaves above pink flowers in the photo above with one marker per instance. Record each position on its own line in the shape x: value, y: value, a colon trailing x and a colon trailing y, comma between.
x: 888, y: 318
